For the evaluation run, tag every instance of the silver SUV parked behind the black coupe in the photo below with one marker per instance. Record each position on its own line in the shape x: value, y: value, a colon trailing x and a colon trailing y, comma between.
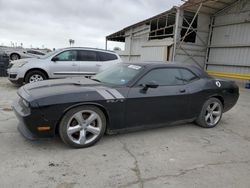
x: 61, y: 63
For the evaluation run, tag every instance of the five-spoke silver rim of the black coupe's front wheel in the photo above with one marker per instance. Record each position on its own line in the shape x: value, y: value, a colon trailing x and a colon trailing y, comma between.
x: 84, y: 127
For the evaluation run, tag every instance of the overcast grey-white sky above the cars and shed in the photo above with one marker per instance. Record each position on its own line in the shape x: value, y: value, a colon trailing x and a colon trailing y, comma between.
x: 51, y: 23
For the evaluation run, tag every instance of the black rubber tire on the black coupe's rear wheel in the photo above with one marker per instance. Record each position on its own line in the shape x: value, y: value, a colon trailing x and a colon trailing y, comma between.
x: 201, y: 120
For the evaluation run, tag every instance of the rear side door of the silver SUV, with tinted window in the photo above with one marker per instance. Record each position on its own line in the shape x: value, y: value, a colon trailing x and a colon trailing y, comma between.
x: 88, y: 61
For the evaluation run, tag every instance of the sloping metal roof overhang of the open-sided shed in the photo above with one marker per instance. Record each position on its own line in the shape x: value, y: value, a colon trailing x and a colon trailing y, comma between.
x: 211, y: 7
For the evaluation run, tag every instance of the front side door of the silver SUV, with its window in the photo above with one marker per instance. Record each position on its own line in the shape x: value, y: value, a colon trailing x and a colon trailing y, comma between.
x: 65, y: 64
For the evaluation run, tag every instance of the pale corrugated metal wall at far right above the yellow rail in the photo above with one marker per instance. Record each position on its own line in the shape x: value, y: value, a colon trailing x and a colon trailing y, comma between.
x: 230, y: 44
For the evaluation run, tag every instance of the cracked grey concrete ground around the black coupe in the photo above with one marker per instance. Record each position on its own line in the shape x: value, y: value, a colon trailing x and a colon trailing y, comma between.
x: 178, y: 156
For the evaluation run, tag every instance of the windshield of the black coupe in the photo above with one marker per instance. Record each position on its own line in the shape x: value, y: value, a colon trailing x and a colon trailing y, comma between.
x: 119, y: 74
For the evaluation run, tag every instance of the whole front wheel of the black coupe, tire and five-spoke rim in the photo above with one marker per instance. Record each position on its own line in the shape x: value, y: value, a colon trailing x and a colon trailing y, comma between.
x: 82, y: 126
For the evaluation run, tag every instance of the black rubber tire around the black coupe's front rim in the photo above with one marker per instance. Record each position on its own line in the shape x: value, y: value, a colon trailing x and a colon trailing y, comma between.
x: 67, y: 119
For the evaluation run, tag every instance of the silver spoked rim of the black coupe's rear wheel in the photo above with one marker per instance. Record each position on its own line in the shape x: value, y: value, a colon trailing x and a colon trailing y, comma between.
x: 213, y: 113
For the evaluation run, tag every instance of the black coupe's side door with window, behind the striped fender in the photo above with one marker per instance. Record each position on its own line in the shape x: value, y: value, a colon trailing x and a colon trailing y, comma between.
x: 166, y: 103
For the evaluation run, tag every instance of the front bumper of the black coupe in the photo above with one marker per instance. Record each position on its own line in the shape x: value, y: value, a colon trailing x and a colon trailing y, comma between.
x: 29, y: 121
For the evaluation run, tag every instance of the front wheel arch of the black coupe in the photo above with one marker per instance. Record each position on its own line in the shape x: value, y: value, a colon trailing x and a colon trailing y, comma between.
x: 101, y: 107
